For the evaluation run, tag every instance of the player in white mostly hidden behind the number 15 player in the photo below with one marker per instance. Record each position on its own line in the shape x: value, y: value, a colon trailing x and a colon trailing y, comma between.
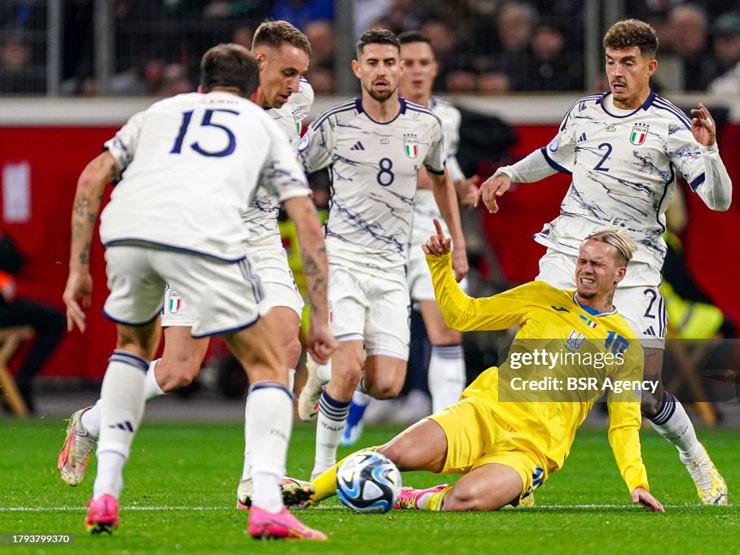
x: 282, y: 52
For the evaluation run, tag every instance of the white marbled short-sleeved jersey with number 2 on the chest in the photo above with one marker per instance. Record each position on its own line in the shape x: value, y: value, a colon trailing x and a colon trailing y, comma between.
x: 624, y: 165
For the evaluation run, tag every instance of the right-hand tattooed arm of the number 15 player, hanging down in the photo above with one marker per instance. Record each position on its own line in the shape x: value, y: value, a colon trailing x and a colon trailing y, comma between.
x: 320, y: 341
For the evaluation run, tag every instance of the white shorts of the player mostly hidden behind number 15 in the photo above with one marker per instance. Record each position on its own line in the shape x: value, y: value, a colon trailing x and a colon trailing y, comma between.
x: 278, y: 286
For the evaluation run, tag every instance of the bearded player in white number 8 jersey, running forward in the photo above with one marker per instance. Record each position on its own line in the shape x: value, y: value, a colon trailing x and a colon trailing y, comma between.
x: 375, y: 146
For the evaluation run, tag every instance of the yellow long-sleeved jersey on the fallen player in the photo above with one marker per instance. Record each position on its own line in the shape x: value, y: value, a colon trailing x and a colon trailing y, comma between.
x: 564, y: 357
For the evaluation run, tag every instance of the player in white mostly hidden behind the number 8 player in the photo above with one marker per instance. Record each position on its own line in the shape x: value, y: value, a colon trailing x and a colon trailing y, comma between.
x: 446, y: 372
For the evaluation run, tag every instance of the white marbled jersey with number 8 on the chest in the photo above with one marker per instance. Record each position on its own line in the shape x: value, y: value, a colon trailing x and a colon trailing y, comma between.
x: 374, y: 170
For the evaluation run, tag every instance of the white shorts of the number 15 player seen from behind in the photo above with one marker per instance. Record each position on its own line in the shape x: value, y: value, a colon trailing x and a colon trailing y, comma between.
x: 223, y: 296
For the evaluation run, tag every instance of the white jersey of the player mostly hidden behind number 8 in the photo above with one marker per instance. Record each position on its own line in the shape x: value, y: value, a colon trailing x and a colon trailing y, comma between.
x: 425, y: 207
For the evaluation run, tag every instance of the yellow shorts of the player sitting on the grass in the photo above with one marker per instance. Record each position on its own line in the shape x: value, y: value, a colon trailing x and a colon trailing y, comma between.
x: 475, y: 437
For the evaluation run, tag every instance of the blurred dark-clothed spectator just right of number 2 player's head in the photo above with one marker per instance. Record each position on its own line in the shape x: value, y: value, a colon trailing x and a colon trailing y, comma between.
x: 688, y: 39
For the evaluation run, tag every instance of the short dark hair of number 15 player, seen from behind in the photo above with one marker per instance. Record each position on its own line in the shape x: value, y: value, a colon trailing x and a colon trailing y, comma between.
x: 229, y: 66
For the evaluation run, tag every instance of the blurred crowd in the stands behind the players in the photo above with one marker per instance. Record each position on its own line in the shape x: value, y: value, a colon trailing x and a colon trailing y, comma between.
x: 483, y: 46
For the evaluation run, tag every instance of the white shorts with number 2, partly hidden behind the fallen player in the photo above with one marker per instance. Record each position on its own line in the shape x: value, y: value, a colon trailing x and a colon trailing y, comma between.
x: 639, y: 301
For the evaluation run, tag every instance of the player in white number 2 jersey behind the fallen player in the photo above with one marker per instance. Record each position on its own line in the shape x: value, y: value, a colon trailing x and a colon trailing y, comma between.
x: 624, y: 149
